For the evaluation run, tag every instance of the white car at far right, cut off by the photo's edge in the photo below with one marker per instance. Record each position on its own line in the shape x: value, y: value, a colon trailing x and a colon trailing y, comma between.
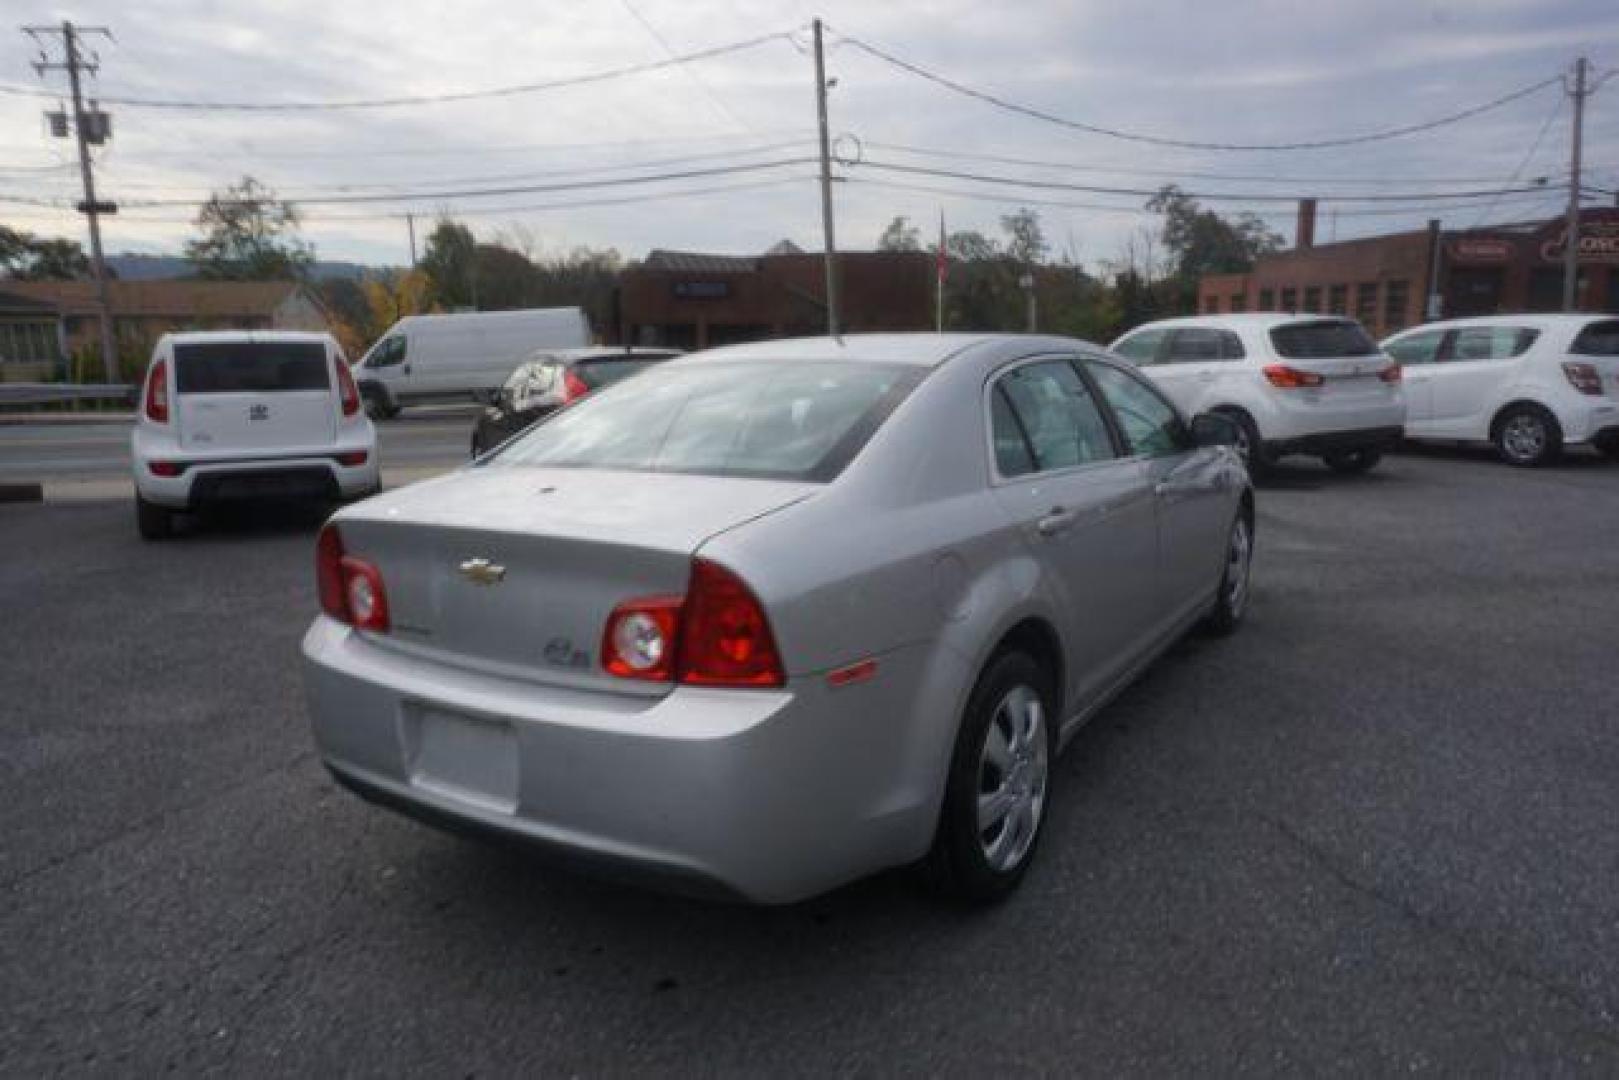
x: 1528, y: 385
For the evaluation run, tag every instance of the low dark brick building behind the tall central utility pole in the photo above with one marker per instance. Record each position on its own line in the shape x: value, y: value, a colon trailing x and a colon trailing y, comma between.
x: 694, y: 300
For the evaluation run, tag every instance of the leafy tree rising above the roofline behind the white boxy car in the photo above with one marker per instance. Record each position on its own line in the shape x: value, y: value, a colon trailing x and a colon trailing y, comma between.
x: 249, y: 236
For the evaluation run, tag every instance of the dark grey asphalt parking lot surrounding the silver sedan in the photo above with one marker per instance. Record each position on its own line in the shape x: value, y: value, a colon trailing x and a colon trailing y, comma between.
x: 1375, y: 831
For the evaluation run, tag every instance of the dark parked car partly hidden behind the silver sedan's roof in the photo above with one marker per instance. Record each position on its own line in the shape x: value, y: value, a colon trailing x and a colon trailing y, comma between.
x: 553, y: 378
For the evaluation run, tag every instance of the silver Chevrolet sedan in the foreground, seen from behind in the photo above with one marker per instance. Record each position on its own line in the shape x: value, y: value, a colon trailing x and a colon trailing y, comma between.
x: 773, y: 618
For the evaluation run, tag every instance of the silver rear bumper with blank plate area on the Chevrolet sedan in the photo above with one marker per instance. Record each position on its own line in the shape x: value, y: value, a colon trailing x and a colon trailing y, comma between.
x: 768, y: 796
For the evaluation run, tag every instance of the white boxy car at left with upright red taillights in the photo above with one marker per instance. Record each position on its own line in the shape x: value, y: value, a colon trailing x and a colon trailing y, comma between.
x: 247, y: 415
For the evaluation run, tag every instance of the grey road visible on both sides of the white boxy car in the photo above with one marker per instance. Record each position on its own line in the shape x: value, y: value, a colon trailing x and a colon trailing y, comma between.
x: 64, y: 453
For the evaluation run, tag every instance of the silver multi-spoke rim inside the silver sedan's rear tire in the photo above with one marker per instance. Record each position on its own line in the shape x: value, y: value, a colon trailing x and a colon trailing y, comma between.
x: 1013, y: 776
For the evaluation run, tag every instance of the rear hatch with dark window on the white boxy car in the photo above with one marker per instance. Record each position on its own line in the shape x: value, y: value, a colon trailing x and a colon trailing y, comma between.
x: 255, y: 396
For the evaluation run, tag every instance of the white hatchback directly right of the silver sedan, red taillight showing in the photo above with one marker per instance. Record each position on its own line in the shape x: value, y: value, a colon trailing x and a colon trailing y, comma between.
x: 1294, y: 385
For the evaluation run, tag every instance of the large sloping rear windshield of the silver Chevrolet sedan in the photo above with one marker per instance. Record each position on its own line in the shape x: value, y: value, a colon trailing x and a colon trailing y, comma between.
x: 770, y: 420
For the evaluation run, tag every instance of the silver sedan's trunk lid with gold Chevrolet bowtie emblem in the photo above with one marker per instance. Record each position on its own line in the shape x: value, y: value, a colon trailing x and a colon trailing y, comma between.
x: 516, y: 569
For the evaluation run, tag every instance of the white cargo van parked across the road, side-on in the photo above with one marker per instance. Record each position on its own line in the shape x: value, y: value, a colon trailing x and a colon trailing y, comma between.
x: 462, y: 357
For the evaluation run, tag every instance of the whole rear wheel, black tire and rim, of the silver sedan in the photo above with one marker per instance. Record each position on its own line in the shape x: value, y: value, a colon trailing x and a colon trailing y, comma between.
x: 998, y: 793
